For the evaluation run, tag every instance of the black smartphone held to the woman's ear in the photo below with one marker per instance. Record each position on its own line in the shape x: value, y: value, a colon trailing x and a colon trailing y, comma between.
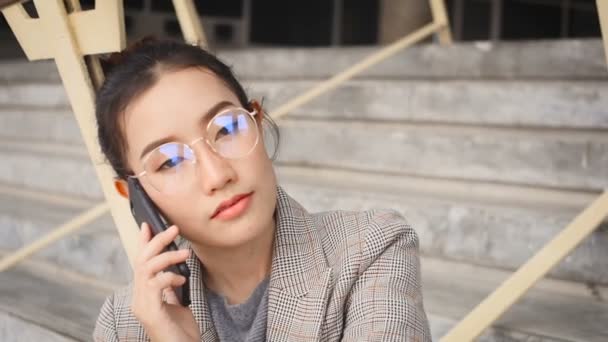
x: 144, y: 210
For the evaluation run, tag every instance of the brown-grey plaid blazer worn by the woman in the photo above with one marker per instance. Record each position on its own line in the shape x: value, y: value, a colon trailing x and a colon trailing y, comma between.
x: 338, y: 275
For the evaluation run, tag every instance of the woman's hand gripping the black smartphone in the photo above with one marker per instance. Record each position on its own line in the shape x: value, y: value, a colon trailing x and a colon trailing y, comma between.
x: 163, y: 321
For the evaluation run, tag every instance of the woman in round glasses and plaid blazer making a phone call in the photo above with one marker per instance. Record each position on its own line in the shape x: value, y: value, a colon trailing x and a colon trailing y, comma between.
x: 262, y: 268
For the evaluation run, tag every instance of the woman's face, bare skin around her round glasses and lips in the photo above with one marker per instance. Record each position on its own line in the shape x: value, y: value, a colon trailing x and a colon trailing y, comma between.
x: 174, y: 109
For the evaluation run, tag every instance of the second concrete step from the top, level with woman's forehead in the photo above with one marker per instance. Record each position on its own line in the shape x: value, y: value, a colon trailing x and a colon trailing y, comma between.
x: 553, y: 104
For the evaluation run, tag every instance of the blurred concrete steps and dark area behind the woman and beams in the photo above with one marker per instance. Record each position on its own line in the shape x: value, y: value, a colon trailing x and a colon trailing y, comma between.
x: 489, y: 147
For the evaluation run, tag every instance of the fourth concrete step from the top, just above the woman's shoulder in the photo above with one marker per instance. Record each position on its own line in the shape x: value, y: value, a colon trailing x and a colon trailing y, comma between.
x: 469, y: 222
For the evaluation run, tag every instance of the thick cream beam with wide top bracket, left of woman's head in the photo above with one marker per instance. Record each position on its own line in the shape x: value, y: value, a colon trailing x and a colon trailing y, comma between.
x: 57, y: 35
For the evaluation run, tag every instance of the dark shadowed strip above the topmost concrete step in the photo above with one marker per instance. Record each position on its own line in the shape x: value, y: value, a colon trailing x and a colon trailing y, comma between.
x: 324, y: 23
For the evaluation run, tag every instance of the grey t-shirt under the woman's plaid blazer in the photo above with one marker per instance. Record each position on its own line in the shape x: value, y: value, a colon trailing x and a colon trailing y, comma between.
x: 245, y: 322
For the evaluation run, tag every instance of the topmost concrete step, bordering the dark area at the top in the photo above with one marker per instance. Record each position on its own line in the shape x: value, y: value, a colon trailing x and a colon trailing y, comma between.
x: 552, y: 59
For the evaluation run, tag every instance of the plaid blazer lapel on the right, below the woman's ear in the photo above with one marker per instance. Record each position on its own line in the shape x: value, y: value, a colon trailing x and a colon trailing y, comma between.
x: 300, y: 277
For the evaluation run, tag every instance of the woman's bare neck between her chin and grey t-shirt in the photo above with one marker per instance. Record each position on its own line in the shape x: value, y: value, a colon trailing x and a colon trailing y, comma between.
x: 236, y: 272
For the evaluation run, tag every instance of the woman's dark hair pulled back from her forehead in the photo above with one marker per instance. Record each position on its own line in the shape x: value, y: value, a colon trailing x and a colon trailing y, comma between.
x: 131, y: 72
